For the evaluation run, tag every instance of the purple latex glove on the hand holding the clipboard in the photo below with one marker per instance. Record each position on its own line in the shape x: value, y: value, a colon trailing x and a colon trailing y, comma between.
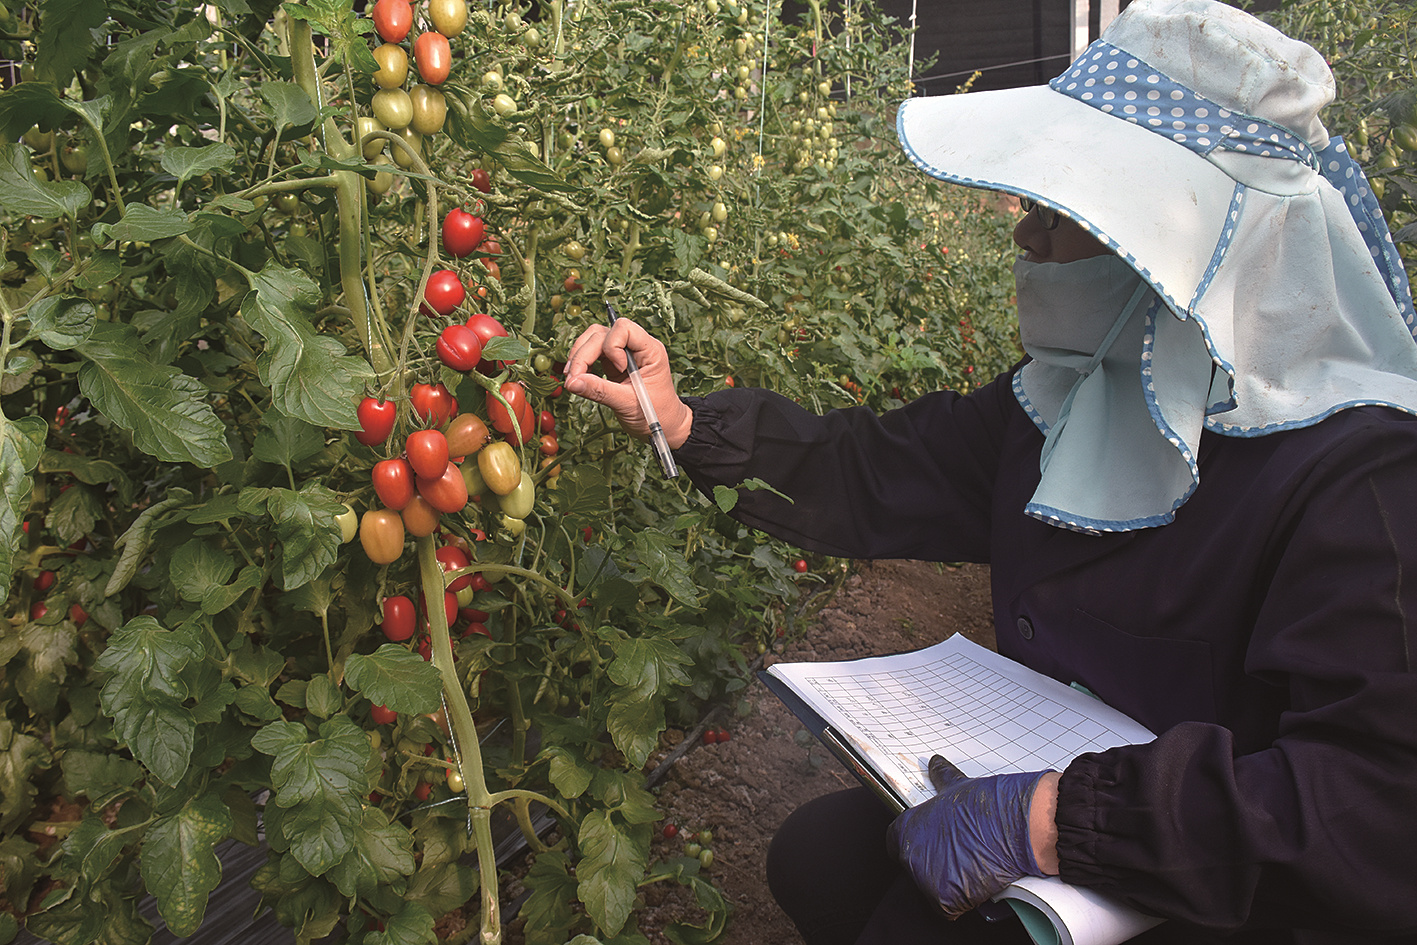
x: 971, y: 839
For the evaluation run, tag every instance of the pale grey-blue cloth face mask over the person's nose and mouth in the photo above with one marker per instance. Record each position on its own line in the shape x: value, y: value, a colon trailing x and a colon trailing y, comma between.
x: 1069, y: 310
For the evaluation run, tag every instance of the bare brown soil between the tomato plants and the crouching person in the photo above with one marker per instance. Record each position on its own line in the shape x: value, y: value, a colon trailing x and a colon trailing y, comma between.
x: 742, y: 790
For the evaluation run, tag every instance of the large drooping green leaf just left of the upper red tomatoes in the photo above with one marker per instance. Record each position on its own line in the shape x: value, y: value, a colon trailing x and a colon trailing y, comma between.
x: 311, y: 376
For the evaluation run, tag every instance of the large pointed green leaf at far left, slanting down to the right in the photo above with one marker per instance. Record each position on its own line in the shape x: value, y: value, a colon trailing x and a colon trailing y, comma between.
x: 159, y: 406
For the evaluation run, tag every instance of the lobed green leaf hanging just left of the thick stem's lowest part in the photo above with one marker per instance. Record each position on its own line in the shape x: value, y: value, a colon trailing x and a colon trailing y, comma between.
x: 324, y: 781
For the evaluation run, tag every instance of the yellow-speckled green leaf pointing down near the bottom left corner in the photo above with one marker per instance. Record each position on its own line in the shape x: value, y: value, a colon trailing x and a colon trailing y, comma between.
x: 181, y: 865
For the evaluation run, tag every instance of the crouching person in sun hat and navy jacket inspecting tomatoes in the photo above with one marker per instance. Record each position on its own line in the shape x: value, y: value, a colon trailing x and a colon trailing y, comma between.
x: 1198, y: 498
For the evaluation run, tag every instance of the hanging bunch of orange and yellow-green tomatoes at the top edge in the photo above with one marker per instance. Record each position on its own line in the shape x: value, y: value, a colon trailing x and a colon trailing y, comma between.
x: 420, y: 111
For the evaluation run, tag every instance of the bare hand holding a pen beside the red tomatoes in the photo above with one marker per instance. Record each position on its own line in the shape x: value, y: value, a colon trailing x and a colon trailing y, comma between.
x: 609, y: 345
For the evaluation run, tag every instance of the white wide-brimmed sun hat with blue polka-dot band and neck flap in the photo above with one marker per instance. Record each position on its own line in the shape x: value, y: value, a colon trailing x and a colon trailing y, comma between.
x: 1188, y: 140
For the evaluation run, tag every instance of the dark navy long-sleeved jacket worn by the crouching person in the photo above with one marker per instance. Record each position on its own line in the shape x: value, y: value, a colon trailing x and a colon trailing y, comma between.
x: 1268, y: 635
